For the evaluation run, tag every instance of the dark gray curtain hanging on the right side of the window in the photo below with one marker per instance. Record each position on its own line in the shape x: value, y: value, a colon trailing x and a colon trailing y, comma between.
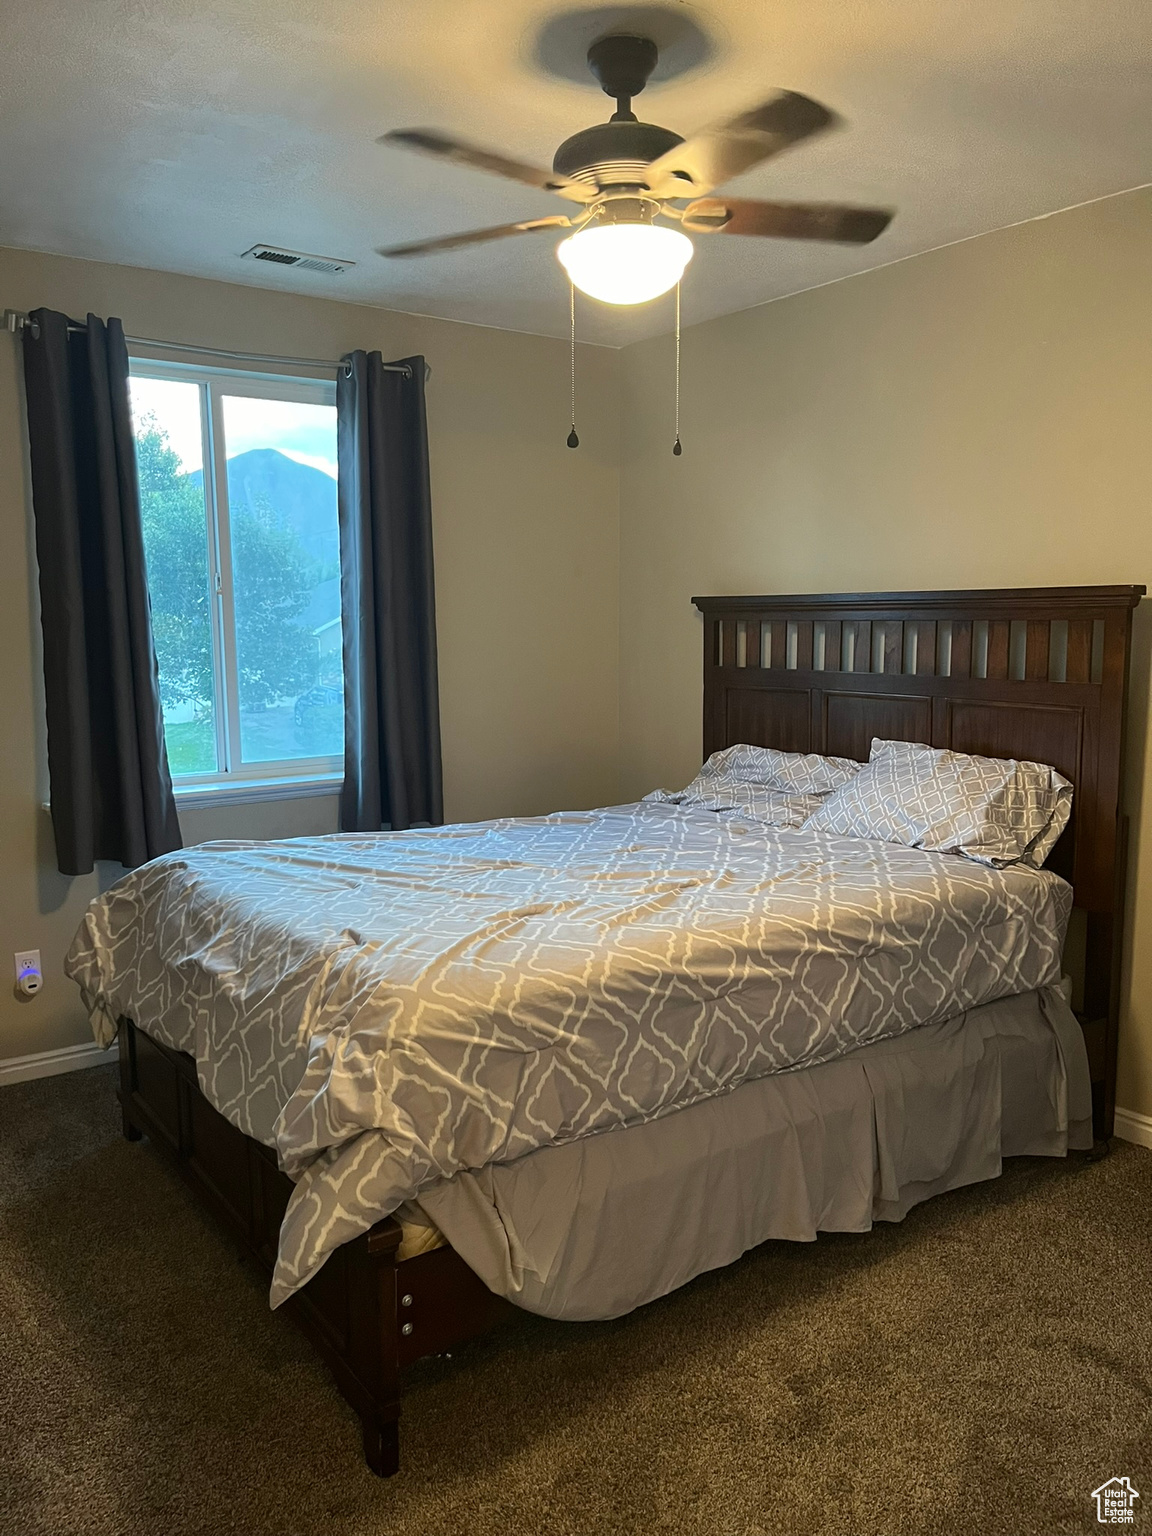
x: 392, y: 764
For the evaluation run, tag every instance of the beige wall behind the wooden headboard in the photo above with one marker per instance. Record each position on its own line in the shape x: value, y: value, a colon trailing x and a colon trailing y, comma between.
x: 978, y: 417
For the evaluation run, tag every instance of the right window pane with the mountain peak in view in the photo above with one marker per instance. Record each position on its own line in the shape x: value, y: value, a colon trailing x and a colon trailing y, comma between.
x: 282, y: 492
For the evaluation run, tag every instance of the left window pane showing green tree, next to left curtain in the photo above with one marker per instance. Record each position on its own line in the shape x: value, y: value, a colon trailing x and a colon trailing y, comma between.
x: 167, y: 420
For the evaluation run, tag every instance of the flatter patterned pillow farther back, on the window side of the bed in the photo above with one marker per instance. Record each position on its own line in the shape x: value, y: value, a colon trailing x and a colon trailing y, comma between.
x: 778, y: 789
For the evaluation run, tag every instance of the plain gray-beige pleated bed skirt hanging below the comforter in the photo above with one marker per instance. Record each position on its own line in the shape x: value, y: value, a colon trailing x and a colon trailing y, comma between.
x: 597, y: 1228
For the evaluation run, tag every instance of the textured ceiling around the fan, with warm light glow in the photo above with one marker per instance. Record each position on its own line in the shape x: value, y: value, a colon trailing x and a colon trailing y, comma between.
x: 176, y: 134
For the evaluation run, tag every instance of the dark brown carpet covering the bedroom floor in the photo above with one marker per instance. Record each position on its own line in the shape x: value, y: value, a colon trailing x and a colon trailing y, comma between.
x: 978, y: 1369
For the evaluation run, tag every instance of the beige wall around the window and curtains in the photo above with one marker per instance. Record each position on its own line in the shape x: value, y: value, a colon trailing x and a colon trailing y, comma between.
x: 526, y: 538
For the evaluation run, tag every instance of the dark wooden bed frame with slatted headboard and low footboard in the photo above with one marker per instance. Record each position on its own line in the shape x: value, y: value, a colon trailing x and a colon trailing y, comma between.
x: 1030, y: 674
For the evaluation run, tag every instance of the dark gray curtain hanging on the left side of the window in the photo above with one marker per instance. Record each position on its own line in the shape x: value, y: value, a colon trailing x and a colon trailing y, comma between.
x: 107, y: 760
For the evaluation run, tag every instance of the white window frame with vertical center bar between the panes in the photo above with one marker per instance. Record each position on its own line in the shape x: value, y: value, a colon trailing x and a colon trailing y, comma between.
x: 234, y: 780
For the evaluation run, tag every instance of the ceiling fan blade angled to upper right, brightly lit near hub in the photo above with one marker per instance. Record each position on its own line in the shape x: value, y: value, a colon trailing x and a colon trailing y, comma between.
x: 726, y: 150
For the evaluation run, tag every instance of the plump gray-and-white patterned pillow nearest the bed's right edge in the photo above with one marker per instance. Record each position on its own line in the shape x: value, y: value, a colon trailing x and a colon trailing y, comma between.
x: 993, y: 810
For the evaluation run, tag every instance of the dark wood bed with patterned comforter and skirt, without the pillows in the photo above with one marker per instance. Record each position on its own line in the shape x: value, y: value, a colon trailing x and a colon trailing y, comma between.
x: 279, y: 1010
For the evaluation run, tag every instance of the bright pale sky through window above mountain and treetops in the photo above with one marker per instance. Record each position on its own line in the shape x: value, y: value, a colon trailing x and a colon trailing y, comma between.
x: 306, y: 434
